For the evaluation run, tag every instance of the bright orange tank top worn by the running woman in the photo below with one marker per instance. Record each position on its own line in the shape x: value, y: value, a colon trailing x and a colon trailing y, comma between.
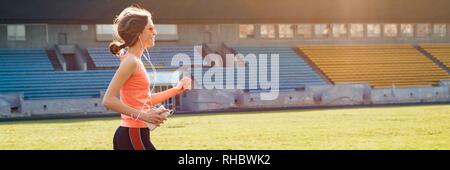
x: 135, y: 93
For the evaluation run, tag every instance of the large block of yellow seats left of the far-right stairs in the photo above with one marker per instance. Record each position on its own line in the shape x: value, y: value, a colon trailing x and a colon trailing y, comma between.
x: 379, y: 65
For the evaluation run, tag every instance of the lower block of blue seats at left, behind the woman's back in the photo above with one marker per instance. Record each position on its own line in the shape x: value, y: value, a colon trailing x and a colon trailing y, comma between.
x: 56, y: 84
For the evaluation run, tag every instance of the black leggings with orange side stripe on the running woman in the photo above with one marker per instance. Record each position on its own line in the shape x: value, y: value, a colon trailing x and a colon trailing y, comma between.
x: 132, y: 139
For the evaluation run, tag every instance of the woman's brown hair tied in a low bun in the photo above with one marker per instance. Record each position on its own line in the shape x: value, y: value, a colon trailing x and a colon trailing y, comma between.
x: 127, y: 27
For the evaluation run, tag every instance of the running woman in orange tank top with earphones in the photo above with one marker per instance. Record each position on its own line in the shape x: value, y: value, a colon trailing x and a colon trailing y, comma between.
x: 134, y: 29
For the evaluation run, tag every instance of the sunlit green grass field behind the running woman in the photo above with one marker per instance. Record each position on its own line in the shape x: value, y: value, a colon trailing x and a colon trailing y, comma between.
x: 400, y: 127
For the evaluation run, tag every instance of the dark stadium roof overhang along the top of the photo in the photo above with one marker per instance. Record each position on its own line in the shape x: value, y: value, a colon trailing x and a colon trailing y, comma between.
x: 228, y: 11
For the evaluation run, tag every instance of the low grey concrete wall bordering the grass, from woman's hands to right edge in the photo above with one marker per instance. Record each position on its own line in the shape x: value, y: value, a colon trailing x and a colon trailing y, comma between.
x: 322, y: 95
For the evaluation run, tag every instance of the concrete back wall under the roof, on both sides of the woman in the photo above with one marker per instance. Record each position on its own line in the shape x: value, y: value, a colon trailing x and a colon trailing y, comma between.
x: 46, y: 35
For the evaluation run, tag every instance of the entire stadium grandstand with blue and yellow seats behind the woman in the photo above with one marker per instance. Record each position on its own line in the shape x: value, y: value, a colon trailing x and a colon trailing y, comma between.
x: 54, y: 57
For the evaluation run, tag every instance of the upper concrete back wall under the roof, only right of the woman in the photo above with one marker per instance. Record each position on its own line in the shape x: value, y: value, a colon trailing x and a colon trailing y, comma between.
x: 229, y: 33
